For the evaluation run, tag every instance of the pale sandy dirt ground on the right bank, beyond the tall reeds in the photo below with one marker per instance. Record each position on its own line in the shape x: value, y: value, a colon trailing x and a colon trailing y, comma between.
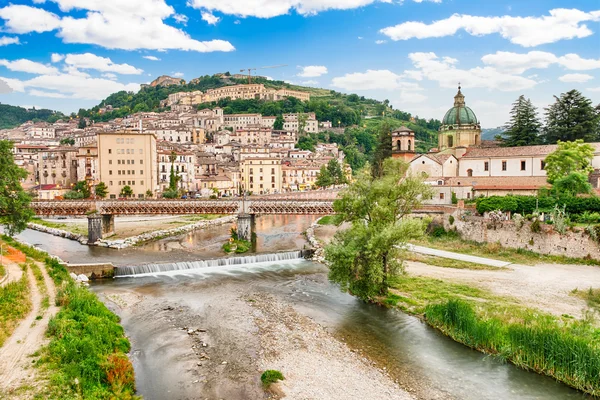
x: 543, y: 286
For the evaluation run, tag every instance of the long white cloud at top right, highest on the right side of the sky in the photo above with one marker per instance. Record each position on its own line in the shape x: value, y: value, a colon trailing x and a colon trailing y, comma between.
x: 525, y: 31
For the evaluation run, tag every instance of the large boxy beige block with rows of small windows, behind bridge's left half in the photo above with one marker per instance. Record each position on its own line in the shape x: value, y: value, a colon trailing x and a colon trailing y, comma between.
x: 128, y: 159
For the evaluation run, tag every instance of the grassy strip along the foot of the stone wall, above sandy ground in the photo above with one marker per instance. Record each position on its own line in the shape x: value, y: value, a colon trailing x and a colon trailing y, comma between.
x: 451, y: 241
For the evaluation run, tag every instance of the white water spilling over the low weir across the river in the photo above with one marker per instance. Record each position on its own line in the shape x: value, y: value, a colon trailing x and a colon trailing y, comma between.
x: 224, y: 265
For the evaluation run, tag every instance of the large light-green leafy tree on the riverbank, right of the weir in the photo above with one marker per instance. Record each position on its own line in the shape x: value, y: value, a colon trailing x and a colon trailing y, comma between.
x: 364, y: 257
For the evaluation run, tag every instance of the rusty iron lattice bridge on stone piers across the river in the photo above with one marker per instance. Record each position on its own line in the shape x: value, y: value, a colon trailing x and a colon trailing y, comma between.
x: 100, y: 213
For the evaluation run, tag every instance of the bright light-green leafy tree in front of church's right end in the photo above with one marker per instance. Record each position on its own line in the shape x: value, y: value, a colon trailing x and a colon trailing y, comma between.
x: 568, y: 158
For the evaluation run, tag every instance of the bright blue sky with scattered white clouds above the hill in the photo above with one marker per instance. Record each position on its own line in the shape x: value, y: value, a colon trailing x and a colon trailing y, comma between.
x: 71, y: 54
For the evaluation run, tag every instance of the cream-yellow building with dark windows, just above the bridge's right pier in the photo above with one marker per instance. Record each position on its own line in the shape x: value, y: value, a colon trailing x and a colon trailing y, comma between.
x: 261, y: 175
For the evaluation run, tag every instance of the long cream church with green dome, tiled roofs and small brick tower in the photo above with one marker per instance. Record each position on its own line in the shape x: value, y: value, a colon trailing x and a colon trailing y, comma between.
x: 468, y: 166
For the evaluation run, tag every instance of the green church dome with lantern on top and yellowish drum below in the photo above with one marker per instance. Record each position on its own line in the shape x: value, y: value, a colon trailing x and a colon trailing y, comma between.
x: 460, y: 127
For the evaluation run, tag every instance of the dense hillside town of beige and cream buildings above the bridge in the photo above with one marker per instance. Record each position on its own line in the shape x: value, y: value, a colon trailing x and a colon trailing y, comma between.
x: 212, y: 154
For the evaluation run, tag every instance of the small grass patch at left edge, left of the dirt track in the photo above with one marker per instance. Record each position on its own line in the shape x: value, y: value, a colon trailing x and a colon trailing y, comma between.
x: 15, y: 303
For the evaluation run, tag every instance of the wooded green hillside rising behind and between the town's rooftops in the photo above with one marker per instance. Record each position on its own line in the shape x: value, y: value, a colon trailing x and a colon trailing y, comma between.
x: 357, y: 119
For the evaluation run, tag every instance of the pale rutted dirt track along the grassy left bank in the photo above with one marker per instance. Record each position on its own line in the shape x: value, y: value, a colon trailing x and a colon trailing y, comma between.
x: 15, y: 361
